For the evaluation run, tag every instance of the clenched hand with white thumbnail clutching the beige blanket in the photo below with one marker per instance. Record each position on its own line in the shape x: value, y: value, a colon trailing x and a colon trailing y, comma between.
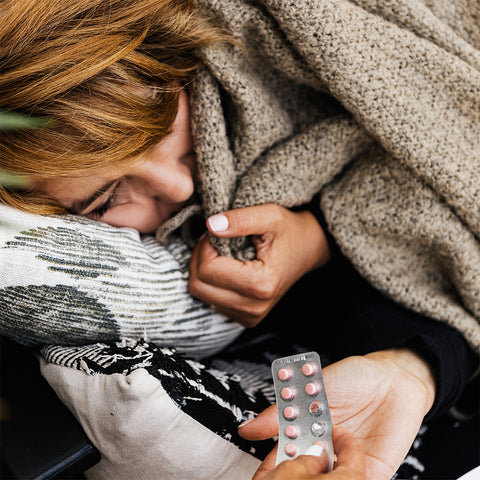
x: 288, y: 245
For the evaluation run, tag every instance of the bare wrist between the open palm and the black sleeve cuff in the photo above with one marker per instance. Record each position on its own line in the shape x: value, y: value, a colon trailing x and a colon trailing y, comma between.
x: 414, y: 367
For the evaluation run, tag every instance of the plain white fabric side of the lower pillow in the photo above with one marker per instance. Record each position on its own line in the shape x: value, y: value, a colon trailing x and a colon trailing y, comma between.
x: 141, y: 433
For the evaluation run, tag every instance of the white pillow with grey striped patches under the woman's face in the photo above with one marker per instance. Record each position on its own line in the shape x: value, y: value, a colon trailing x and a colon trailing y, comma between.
x: 70, y: 280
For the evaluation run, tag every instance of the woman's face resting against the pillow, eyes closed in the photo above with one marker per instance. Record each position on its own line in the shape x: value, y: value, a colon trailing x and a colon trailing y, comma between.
x: 155, y: 186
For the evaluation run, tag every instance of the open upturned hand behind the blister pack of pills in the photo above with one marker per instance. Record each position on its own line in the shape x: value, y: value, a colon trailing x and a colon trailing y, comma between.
x: 381, y: 398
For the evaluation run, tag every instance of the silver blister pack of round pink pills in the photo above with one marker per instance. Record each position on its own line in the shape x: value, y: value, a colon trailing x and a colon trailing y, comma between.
x: 303, y: 413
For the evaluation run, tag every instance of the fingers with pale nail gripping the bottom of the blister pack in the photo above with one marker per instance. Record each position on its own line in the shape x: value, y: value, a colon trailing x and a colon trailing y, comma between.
x: 350, y: 463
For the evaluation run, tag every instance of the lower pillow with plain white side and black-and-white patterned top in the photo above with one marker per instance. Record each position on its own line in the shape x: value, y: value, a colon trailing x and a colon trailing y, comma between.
x: 155, y: 414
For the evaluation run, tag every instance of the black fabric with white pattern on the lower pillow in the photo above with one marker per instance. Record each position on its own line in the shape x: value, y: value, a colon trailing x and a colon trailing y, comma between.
x: 219, y: 393
